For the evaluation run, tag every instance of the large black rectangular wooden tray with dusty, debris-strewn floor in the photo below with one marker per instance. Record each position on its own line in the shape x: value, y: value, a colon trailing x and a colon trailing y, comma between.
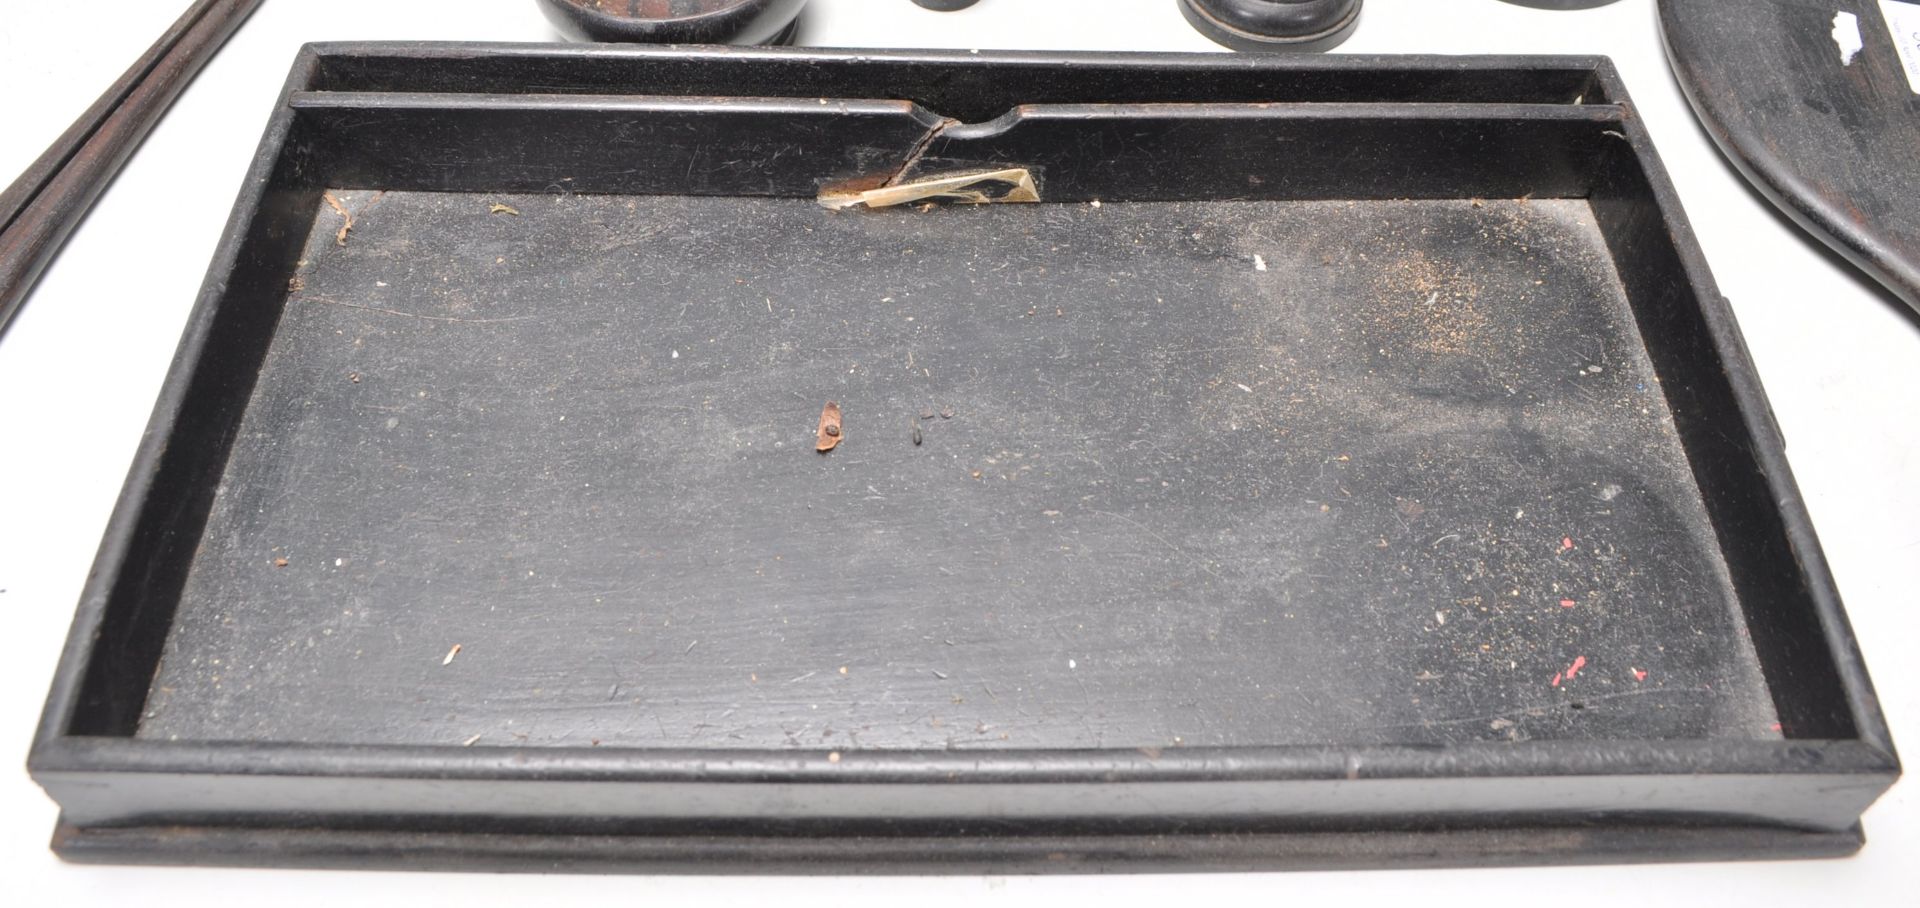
x: 1345, y: 464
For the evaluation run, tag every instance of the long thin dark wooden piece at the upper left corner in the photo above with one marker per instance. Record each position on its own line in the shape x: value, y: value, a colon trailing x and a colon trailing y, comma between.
x: 47, y: 203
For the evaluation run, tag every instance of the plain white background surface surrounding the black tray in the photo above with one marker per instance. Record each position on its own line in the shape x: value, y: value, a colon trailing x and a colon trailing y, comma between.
x: 84, y: 362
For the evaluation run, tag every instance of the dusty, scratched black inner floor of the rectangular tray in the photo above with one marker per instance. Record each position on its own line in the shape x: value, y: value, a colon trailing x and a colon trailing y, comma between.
x: 1230, y: 473
